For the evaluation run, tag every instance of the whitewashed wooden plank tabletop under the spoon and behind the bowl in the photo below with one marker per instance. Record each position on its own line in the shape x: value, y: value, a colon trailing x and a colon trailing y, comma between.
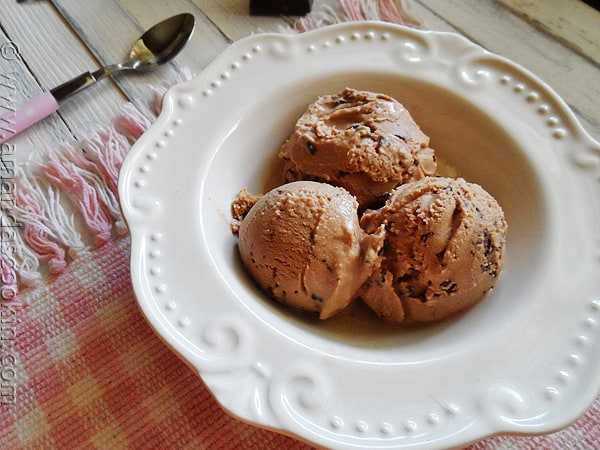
x: 43, y: 44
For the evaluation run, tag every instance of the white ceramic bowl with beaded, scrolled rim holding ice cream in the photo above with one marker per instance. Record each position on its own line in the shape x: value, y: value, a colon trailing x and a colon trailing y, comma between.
x: 524, y: 360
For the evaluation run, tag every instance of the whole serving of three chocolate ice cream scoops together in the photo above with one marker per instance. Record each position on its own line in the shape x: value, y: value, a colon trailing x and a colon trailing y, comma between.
x: 425, y: 248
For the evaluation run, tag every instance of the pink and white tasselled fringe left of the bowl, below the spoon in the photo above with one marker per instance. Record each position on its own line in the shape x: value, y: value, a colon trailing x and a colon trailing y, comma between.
x: 81, y: 177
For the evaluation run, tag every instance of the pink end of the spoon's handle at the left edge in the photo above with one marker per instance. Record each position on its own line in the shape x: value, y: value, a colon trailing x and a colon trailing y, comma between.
x: 30, y: 112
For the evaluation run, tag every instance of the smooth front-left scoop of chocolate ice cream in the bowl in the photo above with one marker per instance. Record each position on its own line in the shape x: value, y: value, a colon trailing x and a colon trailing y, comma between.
x: 302, y: 243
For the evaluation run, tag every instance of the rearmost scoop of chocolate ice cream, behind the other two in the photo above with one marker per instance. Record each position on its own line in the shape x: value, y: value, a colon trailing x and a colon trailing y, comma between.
x: 365, y: 142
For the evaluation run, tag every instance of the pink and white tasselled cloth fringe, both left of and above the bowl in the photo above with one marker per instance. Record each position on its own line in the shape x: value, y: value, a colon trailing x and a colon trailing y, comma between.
x: 40, y: 236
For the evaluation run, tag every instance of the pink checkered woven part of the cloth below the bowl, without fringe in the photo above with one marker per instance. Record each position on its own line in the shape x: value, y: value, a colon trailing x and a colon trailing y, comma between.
x: 82, y: 369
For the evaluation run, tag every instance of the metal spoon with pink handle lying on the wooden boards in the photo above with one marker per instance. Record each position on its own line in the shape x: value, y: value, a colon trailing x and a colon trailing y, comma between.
x: 156, y: 46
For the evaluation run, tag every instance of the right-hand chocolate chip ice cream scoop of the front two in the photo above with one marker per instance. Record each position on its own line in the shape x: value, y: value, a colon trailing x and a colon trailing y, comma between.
x: 444, y: 249
